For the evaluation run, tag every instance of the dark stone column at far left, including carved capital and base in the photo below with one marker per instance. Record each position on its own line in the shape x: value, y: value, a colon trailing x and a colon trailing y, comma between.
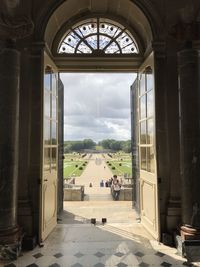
x: 12, y: 27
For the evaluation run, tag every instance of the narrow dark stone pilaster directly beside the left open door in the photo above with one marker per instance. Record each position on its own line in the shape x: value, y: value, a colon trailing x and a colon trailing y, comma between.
x: 36, y: 124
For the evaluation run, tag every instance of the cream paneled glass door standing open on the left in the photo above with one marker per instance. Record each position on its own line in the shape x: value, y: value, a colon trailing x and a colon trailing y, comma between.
x: 48, y: 209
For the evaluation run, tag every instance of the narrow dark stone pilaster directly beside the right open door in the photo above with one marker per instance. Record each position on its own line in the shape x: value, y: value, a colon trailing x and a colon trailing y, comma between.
x: 159, y: 48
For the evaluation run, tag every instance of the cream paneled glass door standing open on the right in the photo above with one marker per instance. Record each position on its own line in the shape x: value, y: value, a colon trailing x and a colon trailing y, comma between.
x: 147, y: 149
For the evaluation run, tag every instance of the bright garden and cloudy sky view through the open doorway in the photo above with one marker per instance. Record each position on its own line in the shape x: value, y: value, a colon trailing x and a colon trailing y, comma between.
x: 98, y: 134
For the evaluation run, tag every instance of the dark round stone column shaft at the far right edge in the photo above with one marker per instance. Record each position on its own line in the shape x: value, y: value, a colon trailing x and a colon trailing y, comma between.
x: 189, y: 108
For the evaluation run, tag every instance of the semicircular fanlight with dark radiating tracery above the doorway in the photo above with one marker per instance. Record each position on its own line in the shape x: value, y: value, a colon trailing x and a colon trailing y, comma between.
x: 98, y: 36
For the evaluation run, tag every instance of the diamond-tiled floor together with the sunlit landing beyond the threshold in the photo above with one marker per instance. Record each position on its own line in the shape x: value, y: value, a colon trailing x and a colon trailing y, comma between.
x: 77, y: 243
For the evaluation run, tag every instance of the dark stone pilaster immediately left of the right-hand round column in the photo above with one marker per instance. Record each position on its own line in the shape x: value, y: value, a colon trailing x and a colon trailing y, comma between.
x: 172, y: 110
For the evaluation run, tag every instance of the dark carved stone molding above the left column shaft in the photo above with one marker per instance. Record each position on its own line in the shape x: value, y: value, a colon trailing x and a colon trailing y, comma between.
x: 15, y: 27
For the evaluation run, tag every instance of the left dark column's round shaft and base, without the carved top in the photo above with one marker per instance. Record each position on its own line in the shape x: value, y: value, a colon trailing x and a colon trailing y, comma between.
x: 9, y: 119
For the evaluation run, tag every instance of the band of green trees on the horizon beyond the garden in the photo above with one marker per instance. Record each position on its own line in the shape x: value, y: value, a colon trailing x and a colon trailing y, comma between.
x: 113, y: 145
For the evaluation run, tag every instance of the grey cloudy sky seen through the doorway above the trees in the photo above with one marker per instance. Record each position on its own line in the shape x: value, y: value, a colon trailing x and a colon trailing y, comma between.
x: 97, y: 106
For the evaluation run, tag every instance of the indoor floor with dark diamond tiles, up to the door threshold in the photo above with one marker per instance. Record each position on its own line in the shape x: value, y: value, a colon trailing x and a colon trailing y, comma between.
x: 88, y: 245
